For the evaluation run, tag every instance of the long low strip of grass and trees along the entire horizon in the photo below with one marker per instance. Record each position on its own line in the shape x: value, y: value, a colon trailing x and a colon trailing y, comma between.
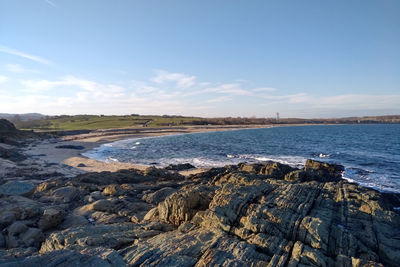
x: 93, y: 122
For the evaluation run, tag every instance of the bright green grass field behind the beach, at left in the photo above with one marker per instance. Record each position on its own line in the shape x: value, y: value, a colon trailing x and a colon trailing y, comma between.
x: 91, y: 122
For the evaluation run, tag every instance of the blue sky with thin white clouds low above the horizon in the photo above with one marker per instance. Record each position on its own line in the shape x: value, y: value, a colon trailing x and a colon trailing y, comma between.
x: 311, y: 58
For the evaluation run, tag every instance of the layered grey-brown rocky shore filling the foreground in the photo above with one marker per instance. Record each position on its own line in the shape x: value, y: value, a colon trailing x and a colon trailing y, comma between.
x: 266, y: 214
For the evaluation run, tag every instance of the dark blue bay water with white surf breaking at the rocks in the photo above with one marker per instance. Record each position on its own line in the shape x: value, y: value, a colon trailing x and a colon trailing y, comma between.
x: 370, y: 153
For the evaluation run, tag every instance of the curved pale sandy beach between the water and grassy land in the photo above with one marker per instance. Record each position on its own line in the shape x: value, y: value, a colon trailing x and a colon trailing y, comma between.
x: 48, y: 151
